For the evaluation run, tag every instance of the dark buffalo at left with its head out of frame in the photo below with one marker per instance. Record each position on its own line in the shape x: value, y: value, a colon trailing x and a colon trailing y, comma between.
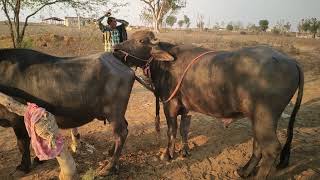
x: 75, y: 89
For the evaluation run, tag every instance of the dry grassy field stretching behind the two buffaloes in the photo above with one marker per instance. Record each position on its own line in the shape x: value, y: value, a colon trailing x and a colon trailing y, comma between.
x: 70, y: 41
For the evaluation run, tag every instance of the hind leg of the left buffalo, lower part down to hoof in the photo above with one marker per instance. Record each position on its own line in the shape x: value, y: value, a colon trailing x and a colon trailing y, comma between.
x: 120, y: 130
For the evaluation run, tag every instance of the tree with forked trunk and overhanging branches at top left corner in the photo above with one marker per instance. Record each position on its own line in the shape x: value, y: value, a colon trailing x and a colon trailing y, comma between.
x: 13, y: 10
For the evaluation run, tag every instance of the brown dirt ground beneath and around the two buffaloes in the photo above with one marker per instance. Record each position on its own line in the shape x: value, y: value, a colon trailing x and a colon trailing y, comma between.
x: 216, y: 152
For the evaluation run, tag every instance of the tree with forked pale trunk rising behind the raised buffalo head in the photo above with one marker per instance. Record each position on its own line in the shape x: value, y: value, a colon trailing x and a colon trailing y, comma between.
x: 158, y: 9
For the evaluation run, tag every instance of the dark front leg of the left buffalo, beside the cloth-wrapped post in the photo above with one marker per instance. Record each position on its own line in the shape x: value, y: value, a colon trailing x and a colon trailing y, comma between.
x: 23, y: 142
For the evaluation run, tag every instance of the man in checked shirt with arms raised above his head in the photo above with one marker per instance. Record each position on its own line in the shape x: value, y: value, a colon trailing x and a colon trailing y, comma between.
x: 113, y: 34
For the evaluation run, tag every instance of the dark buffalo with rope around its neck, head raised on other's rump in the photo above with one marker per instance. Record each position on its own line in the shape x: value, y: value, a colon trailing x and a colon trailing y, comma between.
x: 254, y: 82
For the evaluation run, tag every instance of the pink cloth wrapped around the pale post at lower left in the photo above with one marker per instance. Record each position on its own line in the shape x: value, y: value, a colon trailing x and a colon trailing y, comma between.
x: 42, y: 147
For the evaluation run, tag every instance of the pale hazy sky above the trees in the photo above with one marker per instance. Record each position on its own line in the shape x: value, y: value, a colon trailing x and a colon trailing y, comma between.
x: 213, y: 11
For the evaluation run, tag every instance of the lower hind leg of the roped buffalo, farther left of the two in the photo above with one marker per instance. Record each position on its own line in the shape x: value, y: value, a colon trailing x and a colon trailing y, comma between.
x: 253, y: 162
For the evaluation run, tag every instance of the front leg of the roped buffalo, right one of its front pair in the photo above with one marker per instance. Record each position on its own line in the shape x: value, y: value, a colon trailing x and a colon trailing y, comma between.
x: 184, y: 130
